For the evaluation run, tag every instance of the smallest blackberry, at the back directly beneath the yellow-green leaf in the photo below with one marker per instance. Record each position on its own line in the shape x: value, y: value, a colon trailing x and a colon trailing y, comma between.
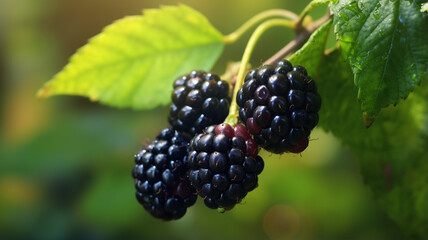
x: 200, y: 99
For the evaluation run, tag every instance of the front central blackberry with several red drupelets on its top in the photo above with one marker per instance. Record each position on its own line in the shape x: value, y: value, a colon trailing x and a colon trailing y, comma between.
x: 224, y: 165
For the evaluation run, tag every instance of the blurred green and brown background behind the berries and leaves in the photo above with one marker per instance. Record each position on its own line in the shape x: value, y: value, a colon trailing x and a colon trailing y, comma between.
x: 65, y: 168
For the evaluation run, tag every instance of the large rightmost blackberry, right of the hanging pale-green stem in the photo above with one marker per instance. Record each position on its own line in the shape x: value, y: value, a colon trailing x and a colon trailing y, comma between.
x: 279, y: 106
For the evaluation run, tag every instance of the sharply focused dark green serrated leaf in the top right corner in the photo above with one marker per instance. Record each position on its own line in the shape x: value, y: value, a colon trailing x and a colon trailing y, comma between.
x: 386, y: 44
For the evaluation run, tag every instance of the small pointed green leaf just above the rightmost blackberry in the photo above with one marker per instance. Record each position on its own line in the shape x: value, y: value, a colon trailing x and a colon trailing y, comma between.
x: 312, y: 52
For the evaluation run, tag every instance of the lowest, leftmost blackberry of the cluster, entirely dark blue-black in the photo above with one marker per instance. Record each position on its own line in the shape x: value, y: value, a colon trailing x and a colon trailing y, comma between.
x: 160, y: 176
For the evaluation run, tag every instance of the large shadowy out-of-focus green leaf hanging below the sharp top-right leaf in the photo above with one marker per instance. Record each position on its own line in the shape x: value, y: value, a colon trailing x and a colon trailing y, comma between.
x: 392, y: 153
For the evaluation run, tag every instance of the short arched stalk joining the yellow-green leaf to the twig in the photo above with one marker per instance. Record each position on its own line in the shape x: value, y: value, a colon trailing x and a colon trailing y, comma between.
x: 234, y: 36
